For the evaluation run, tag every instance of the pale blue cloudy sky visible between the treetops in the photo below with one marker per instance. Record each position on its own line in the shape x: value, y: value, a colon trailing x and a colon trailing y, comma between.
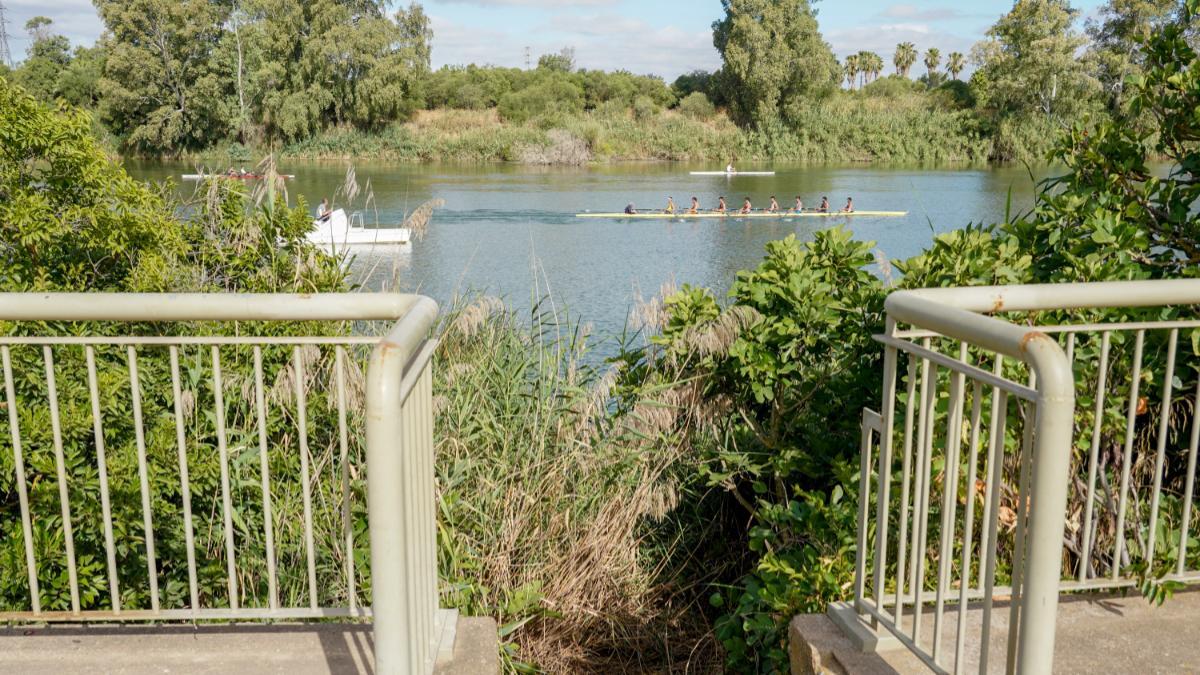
x: 665, y: 38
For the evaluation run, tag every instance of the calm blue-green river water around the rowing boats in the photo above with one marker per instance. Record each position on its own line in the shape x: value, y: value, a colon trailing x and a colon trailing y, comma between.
x: 511, y: 231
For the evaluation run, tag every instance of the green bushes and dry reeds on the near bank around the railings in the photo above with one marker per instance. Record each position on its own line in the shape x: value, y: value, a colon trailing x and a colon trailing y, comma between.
x: 669, y: 509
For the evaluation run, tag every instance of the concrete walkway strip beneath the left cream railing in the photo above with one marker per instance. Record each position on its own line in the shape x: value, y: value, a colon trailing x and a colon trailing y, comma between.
x: 315, y: 649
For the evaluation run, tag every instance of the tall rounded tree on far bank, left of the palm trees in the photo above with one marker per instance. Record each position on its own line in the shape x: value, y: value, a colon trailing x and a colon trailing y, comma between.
x: 773, y: 53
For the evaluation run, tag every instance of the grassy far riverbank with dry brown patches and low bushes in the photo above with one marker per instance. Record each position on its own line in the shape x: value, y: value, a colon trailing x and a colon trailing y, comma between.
x: 850, y: 128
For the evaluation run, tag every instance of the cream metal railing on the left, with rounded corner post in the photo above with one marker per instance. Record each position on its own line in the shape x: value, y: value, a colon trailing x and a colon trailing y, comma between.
x: 160, y: 470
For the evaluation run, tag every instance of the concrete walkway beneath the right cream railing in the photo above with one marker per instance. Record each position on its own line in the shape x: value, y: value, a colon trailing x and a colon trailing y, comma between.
x: 1096, y: 634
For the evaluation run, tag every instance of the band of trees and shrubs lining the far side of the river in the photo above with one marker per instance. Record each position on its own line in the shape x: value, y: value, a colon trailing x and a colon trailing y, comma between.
x: 225, y: 82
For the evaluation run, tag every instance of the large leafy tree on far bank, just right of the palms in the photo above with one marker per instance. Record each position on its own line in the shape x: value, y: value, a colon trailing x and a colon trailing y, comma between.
x: 1029, y: 63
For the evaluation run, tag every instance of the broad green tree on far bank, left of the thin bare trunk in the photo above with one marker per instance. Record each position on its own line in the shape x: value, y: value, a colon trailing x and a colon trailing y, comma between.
x: 161, y: 92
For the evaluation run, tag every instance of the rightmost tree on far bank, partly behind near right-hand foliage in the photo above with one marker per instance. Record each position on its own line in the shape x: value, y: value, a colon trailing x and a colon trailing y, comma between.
x: 1117, y: 35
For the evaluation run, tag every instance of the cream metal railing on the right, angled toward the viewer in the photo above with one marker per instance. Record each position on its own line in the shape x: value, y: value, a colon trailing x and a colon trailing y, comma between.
x: 1066, y: 500
